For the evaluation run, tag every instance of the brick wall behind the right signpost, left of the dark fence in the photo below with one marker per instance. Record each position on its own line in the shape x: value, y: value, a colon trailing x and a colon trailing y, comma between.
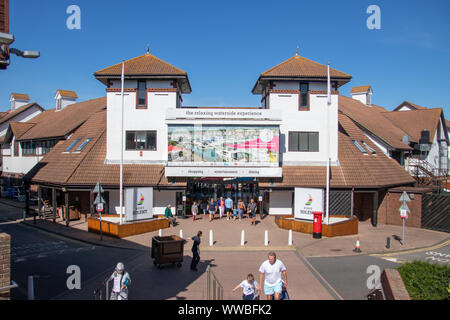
x: 388, y: 210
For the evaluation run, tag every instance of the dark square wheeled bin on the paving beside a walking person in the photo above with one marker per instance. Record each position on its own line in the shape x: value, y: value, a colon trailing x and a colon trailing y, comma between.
x: 166, y: 250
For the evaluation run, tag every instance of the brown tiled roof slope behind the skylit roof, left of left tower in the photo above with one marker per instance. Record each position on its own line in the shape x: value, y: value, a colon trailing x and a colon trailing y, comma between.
x: 54, y: 124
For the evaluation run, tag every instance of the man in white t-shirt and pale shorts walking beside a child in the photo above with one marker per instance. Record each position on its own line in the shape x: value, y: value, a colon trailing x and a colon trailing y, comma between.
x: 272, y: 270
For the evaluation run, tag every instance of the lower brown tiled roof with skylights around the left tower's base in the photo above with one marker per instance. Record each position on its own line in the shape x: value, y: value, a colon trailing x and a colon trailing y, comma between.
x: 88, y: 167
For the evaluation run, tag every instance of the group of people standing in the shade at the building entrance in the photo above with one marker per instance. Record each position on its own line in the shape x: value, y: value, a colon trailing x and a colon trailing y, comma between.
x: 226, y: 207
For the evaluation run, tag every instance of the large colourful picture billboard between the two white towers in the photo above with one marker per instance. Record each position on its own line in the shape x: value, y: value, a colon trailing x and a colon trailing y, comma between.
x: 230, y: 145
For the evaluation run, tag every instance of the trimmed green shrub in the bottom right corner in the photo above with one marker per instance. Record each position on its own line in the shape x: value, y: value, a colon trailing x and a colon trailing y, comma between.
x: 426, y: 281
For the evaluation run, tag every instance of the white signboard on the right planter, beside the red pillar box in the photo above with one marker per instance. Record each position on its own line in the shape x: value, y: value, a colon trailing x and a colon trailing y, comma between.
x: 307, y: 201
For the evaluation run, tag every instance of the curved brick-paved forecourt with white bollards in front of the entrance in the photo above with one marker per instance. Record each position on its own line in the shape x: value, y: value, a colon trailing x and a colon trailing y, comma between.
x: 227, y: 237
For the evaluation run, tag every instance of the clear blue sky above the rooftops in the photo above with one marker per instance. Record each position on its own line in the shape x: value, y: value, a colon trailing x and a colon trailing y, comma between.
x: 225, y: 45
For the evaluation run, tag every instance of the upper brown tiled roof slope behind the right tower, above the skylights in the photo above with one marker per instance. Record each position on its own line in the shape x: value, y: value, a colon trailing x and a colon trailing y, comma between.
x: 374, y: 121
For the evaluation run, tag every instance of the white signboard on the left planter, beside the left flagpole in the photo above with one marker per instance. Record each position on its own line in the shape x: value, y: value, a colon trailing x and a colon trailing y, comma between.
x: 138, y: 204
